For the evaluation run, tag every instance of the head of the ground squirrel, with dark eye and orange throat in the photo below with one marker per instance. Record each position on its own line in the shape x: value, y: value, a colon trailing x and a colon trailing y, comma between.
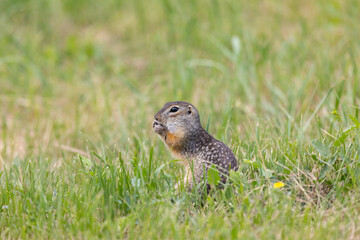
x: 176, y: 121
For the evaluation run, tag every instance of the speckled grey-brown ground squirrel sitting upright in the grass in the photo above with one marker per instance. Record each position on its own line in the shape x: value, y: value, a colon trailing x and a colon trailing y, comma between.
x: 178, y: 125
